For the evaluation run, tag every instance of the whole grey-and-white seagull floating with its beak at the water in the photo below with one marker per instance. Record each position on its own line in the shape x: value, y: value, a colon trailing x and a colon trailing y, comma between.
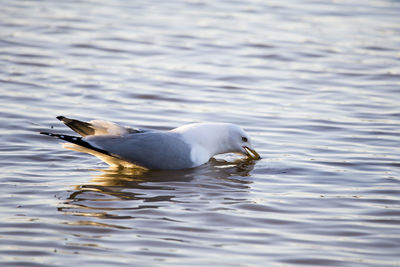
x: 184, y: 147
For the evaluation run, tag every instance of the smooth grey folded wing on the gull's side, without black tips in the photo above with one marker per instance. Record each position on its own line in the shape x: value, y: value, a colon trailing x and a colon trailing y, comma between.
x: 153, y: 150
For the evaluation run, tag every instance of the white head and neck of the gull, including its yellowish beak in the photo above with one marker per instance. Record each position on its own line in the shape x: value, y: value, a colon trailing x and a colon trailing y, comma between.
x: 216, y: 138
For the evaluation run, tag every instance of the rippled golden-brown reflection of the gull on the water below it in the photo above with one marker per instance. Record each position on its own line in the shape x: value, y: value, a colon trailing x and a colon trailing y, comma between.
x: 110, y: 193
